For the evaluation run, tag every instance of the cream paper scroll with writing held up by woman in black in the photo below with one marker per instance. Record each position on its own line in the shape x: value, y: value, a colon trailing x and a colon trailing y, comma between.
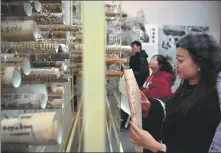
x: 134, y: 99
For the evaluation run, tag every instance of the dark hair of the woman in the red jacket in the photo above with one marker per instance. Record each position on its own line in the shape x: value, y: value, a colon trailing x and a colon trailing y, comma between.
x: 165, y: 65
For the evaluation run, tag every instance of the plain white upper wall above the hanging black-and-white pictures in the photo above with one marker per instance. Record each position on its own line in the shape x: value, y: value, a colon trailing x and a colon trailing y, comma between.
x: 193, y: 13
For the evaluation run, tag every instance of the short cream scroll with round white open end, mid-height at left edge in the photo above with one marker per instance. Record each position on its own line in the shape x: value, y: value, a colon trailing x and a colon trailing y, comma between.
x: 10, y: 76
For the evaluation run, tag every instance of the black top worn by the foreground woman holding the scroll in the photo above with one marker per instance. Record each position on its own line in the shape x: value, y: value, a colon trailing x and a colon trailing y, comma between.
x: 189, y: 133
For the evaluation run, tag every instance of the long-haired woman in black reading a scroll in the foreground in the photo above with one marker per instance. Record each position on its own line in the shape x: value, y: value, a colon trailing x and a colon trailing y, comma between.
x: 191, y: 115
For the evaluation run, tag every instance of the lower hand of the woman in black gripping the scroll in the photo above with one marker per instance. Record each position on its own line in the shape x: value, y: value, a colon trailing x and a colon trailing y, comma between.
x: 143, y: 138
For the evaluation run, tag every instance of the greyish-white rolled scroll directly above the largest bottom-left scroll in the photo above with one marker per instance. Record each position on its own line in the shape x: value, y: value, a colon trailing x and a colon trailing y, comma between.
x: 29, y: 94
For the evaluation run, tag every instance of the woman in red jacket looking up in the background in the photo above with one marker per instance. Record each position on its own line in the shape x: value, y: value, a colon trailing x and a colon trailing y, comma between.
x: 158, y: 84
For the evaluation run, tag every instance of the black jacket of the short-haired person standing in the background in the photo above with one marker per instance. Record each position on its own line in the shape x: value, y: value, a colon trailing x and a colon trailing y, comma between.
x: 139, y: 64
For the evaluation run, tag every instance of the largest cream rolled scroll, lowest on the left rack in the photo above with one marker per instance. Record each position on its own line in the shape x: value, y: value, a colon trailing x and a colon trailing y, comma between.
x: 34, y: 129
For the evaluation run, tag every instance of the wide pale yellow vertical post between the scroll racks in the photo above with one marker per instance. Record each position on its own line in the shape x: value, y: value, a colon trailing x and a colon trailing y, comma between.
x: 94, y: 38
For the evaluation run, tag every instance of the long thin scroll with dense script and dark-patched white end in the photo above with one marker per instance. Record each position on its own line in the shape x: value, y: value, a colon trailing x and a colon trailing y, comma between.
x: 33, y: 47
